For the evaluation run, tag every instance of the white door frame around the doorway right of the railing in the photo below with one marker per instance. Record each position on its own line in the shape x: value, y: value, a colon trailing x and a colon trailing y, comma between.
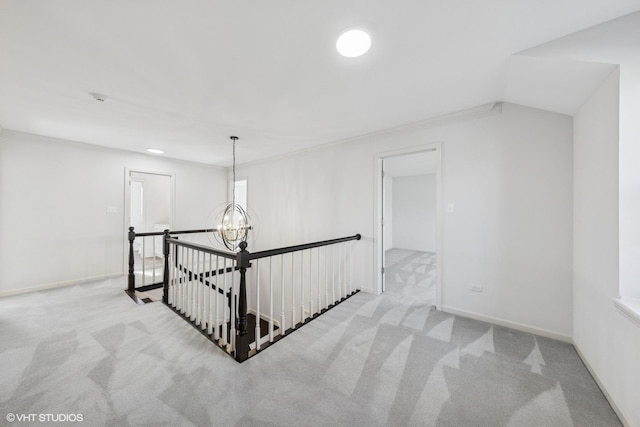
x: 378, y: 213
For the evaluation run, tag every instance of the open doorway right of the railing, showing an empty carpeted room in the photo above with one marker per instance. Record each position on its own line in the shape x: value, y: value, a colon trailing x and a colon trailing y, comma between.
x: 409, y: 224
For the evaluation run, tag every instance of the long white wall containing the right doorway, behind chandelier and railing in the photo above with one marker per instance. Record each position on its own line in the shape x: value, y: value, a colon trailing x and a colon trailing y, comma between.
x: 510, y: 176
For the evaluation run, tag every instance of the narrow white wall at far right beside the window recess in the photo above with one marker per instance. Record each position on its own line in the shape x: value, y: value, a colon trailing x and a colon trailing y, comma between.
x: 609, y: 343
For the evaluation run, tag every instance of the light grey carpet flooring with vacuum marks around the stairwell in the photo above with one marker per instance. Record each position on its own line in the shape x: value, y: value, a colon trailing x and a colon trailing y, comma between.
x: 374, y: 360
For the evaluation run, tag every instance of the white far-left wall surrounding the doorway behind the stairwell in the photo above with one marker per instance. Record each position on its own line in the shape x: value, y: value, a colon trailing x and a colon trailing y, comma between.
x: 53, y: 200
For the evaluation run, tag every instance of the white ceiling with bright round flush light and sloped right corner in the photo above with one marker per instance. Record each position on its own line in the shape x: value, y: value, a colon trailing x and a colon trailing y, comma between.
x: 183, y: 76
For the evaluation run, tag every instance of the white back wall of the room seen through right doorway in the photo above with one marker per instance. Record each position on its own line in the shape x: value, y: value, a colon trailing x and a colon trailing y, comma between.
x: 414, y: 209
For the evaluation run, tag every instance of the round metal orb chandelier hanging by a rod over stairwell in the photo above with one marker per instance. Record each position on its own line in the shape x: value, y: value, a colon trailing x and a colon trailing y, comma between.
x: 234, y: 226
